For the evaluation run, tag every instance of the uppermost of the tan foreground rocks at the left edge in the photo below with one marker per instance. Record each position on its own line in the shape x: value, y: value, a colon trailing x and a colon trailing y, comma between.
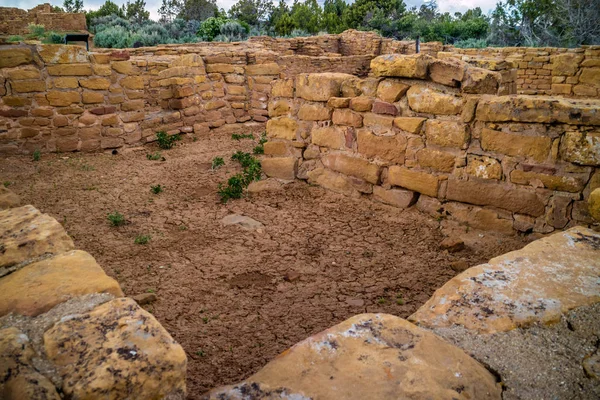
x: 26, y: 233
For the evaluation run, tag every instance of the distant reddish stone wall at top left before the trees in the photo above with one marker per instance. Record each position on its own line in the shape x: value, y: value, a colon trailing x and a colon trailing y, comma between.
x: 14, y: 21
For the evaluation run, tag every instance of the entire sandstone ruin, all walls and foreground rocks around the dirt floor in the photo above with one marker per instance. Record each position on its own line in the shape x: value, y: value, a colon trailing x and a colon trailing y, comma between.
x: 505, y: 140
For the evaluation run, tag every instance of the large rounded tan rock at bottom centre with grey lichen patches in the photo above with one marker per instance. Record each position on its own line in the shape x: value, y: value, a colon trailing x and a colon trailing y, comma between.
x: 369, y: 356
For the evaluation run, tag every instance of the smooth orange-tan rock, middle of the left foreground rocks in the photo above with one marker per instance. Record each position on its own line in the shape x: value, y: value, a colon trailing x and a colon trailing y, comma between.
x: 39, y: 286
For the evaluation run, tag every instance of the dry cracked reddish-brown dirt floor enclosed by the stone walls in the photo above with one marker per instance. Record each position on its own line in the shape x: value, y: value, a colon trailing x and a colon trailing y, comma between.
x: 222, y: 291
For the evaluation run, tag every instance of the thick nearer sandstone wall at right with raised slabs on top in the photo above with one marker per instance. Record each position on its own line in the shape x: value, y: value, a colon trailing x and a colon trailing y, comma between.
x: 434, y: 132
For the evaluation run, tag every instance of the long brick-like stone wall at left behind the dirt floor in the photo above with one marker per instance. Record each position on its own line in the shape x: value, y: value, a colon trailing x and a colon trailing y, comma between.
x: 62, y: 98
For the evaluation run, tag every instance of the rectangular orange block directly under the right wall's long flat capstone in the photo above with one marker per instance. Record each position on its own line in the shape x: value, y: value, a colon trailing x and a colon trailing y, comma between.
x: 534, y: 147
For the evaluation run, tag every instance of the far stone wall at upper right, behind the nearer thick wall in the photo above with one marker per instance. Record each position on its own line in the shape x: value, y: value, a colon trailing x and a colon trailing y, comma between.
x: 548, y: 70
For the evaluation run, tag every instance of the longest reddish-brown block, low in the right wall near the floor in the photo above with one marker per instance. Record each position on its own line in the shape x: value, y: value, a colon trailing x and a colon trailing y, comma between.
x: 485, y: 193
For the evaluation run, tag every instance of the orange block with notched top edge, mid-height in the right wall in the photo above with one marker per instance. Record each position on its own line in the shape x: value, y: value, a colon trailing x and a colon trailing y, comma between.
x: 388, y: 148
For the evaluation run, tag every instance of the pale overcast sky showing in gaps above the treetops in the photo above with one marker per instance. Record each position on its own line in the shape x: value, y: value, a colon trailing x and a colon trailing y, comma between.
x: 153, y: 5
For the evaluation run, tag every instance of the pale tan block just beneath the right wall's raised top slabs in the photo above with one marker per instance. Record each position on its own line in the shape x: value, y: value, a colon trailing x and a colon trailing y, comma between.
x: 426, y: 100
